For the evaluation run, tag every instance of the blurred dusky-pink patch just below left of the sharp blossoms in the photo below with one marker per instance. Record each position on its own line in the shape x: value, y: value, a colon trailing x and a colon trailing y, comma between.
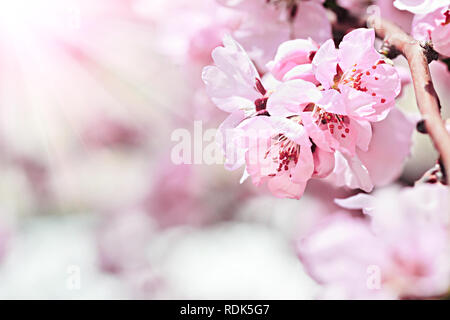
x: 187, y: 195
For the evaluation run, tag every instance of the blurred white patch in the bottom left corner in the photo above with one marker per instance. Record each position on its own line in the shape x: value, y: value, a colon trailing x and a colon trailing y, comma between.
x: 43, y: 254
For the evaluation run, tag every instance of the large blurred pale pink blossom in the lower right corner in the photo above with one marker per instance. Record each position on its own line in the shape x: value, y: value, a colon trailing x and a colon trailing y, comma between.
x: 405, y: 245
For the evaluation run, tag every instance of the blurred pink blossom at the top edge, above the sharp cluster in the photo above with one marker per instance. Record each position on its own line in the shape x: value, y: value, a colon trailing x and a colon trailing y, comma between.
x: 268, y: 23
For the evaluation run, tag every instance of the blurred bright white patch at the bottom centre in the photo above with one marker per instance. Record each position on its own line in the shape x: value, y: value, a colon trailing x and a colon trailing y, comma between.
x: 231, y: 260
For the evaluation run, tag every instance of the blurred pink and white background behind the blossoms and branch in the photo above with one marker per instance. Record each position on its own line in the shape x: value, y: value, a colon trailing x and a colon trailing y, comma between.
x: 91, y: 205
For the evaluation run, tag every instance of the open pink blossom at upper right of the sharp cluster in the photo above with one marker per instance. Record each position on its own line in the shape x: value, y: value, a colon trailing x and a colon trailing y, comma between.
x: 367, y: 84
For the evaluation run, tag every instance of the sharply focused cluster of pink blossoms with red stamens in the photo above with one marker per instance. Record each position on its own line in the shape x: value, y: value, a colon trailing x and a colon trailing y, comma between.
x: 314, y: 108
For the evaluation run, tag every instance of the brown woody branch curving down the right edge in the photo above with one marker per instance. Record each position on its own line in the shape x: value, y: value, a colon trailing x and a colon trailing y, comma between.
x: 426, y: 97
